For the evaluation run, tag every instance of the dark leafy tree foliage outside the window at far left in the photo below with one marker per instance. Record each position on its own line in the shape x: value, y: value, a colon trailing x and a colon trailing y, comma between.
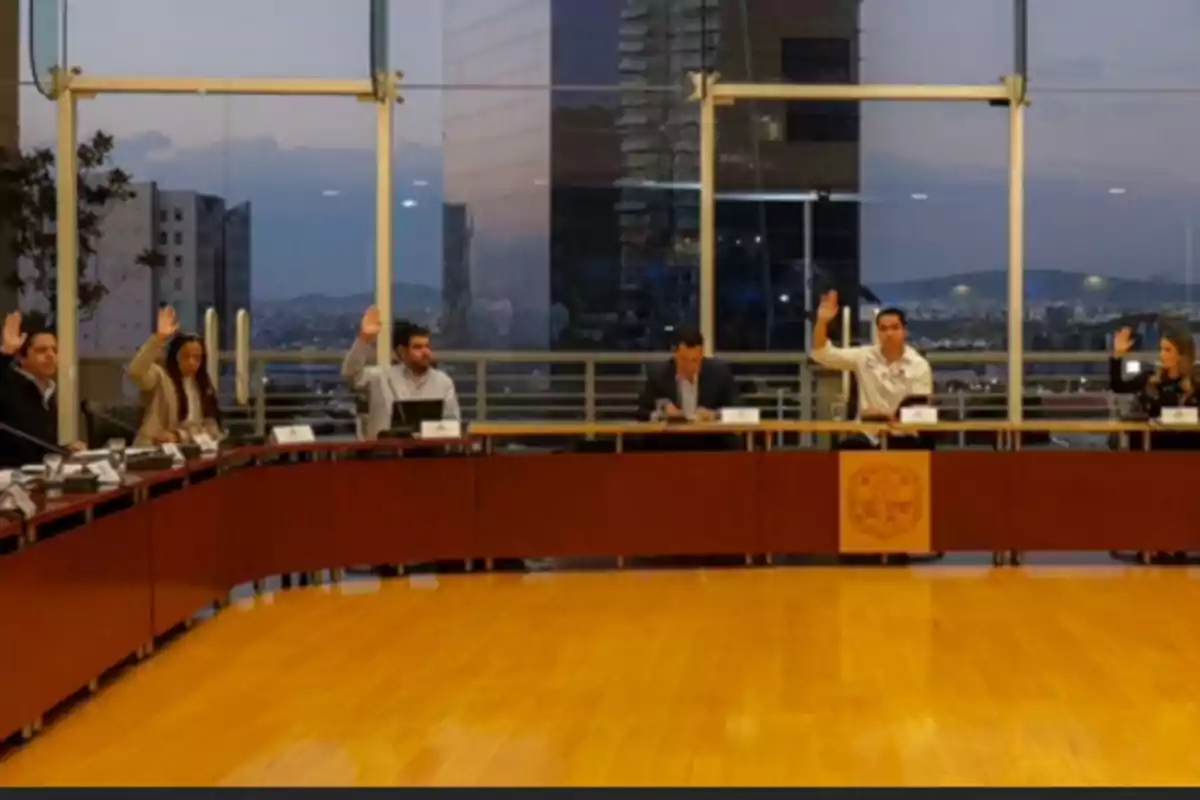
x: 29, y: 215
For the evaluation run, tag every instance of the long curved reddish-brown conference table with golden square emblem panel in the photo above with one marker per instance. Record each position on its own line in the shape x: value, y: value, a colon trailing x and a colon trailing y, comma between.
x: 92, y: 581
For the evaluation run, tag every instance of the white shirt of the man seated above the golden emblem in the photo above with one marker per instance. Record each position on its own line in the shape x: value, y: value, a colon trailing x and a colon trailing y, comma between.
x: 881, y: 386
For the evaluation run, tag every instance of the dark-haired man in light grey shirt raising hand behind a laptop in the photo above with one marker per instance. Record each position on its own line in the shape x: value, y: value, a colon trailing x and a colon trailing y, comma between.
x: 413, y: 378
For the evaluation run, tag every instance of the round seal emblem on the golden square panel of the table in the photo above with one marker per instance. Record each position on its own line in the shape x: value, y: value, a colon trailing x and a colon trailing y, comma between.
x: 885, y: 501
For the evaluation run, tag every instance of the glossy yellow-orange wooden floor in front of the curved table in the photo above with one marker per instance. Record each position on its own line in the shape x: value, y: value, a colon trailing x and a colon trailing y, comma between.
x: 933, y: 676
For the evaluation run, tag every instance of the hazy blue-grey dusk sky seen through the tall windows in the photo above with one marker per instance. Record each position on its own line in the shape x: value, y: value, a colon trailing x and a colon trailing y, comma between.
x: 291, y: 155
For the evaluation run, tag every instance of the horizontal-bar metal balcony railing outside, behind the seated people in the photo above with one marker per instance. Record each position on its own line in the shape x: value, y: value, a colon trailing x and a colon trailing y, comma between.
x: 305, y: 387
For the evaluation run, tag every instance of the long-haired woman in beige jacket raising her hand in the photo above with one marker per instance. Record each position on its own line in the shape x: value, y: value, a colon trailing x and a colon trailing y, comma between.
x: 177, y: 394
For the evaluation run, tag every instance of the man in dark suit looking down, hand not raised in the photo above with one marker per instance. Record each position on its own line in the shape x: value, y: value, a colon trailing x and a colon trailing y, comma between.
x: 689, y: 388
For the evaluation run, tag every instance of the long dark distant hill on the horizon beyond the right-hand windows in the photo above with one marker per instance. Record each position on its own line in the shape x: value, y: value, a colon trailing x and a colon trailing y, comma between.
x: 1041, y: 286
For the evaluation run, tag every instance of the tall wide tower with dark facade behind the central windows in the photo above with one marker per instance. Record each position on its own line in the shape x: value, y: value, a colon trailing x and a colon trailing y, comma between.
x: 586, y: 202
